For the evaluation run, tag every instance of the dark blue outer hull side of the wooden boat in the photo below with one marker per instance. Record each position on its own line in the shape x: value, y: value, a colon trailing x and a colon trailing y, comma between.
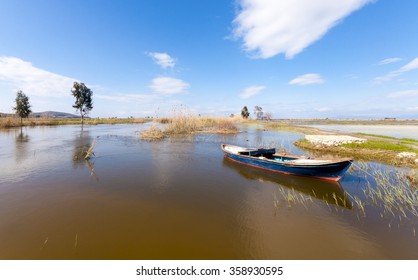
x: 330, y: 171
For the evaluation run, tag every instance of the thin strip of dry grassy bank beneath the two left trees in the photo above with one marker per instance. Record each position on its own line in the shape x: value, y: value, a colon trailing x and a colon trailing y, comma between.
x: 10, y: 122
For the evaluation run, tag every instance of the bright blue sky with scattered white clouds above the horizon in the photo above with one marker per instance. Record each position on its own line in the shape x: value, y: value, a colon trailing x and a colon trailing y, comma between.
x: 295, y: 59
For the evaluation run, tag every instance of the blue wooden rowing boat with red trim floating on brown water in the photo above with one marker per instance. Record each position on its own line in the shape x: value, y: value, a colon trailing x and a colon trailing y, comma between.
x: 327, y: 169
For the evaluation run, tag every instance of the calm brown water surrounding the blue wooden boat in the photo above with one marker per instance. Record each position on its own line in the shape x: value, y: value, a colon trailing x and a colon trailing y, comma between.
x: 178, y: 199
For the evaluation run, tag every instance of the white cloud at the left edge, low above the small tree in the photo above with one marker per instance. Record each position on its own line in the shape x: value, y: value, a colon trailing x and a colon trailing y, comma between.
x: 33, y: 81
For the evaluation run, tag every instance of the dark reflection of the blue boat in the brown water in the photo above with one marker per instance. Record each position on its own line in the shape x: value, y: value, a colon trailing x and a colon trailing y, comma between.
x: 328, y: 191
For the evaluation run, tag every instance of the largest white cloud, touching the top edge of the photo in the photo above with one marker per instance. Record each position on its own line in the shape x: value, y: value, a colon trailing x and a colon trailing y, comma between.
x: 271, y: 27
